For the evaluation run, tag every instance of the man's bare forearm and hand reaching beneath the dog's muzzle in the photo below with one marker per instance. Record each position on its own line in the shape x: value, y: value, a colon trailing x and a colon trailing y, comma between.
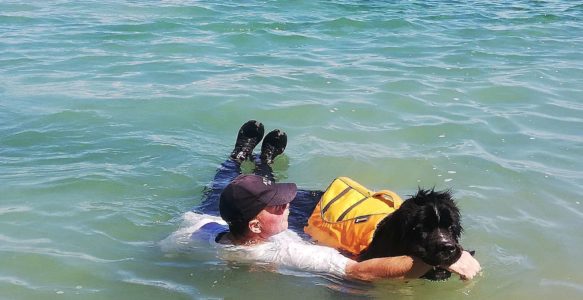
x: 406, y: 267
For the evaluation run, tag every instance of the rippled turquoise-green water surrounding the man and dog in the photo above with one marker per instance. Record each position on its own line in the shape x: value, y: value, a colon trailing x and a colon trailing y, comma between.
x: 114, y: 116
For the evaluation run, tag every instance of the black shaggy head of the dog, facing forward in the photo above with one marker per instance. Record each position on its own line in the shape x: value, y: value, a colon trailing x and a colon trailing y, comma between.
x: 431, y: 227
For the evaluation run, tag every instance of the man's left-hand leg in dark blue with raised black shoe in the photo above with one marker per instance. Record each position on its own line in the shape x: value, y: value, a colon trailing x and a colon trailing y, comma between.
x: 248, y: 137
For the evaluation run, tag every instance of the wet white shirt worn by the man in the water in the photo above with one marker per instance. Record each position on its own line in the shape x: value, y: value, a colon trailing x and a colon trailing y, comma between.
x: 286, y: 250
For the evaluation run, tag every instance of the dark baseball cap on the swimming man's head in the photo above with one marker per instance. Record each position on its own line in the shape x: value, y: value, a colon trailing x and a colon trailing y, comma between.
x: 248, y: 194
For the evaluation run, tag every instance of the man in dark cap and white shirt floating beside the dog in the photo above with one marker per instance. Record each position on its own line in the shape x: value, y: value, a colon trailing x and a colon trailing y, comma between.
x: 256, y: 211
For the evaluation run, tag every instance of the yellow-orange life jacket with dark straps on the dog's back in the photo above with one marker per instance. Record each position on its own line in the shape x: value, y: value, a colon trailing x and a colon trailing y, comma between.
x: 348, y: 213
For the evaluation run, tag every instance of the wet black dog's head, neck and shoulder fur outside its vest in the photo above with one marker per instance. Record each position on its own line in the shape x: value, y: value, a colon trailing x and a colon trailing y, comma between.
x: 427, y: 226
